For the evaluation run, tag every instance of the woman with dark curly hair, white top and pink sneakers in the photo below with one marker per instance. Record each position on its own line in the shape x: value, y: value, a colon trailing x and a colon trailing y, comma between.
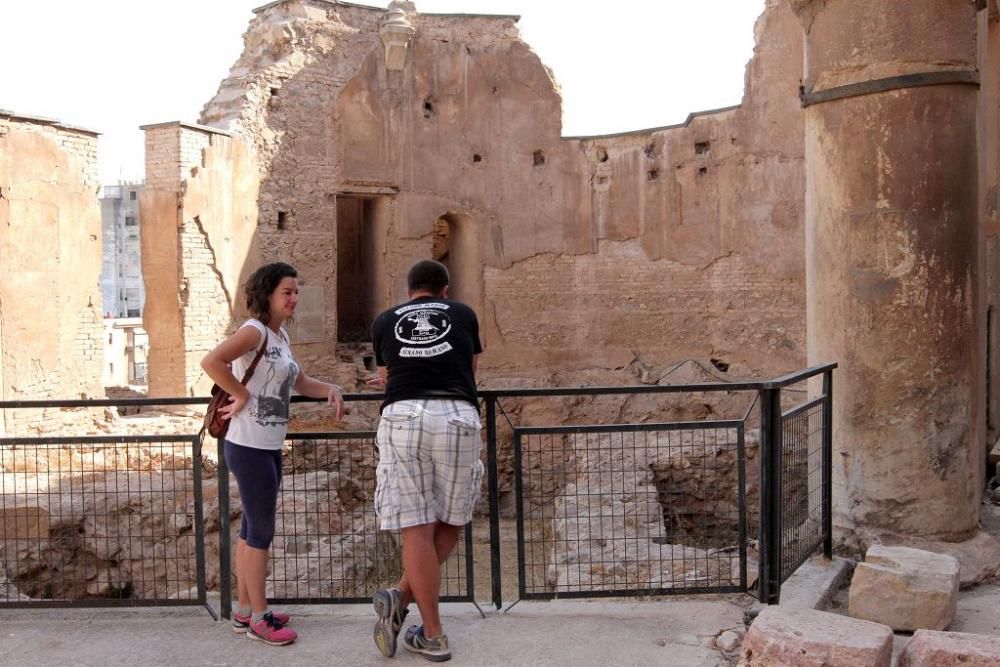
x: 258, y: 422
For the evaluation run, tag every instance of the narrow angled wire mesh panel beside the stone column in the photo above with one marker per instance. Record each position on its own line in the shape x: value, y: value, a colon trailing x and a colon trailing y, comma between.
x: 801, y: 484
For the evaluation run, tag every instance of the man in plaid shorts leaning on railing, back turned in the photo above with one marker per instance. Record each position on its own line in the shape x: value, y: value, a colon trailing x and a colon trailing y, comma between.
x: 429, y: 472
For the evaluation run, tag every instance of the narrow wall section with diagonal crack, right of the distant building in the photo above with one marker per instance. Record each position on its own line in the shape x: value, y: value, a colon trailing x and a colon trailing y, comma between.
x: 199, y: 218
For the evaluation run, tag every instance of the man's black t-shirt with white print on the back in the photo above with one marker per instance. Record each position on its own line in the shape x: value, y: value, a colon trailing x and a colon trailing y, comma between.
x: 427, y: 345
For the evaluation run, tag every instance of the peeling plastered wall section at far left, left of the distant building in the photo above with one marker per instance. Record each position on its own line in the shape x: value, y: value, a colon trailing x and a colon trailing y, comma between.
x: 50, y: 241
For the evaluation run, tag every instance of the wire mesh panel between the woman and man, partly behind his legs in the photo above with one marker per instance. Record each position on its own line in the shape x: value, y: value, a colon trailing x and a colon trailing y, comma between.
x: 327, y: 547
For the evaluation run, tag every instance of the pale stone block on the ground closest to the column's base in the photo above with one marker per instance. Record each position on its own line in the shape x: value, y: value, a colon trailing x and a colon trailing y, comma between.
x: 906, y: 589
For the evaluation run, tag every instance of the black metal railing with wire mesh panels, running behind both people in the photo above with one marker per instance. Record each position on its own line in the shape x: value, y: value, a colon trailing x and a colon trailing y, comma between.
x: 598, y: 509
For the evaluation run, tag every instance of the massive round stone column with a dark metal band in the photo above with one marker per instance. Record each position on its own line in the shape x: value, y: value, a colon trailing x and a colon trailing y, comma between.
x: 892, y: 260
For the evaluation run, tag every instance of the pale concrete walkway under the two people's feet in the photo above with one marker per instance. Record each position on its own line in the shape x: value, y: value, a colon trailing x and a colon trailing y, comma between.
x: 675, y: 631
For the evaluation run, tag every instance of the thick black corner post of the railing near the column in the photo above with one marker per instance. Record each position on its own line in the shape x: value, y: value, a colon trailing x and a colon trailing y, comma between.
x: 769, y: 577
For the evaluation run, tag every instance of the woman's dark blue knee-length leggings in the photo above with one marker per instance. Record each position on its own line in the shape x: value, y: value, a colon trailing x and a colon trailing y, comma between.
x: 258, y: 476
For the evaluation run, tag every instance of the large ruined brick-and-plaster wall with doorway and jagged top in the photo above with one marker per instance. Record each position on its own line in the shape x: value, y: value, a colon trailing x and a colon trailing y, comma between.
x: 580, y: 254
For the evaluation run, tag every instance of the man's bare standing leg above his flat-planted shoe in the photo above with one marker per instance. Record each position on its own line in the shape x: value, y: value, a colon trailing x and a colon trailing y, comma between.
x: 422, y: 568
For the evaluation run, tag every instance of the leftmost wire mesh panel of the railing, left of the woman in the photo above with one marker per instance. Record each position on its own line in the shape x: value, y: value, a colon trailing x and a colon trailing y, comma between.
x: 101, y: 521
